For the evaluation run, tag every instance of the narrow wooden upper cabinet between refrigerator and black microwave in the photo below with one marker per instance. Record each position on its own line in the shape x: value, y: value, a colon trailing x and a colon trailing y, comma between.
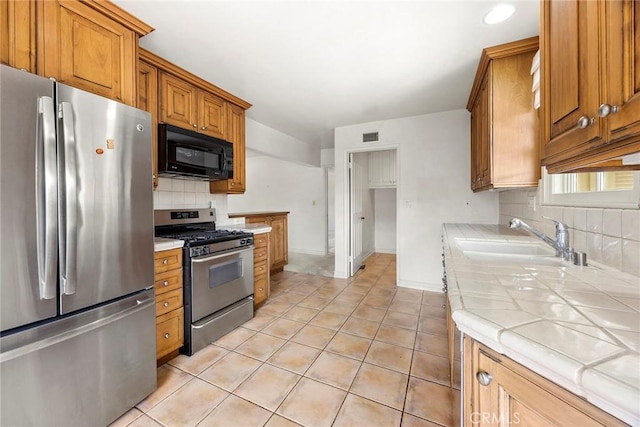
x: 148, y: 101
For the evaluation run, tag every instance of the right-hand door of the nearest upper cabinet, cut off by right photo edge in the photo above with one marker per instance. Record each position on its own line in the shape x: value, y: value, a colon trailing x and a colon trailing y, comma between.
x: 622, y: 34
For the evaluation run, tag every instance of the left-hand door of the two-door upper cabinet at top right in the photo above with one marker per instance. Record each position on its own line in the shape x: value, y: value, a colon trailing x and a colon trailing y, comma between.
x: 570, y: 80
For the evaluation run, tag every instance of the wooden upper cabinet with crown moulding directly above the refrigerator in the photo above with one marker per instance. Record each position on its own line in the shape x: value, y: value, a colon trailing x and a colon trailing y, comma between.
x: 90, y: 45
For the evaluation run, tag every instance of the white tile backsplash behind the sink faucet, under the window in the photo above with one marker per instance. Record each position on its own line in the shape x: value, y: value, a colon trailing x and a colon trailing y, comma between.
x: 608, y: 236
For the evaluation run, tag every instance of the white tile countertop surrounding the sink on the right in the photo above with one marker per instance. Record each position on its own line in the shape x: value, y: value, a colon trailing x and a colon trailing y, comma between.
x: 577, y: 326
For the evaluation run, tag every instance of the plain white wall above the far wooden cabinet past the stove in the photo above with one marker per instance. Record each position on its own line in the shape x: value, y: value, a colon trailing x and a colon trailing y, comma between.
x: 278, y: 185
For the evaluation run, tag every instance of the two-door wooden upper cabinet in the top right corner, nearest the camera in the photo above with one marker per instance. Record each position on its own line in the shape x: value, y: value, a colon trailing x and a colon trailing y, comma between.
x: 590, y: 82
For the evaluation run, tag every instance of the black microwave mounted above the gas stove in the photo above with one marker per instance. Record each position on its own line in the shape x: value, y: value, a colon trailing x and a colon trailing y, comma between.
x: 186, y: 154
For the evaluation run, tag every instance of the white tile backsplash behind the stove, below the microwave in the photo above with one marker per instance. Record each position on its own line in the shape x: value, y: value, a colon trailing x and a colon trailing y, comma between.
x: 181, y: 193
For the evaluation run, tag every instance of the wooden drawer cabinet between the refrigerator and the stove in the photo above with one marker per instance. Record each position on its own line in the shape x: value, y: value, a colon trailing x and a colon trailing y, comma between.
x: 169, y: 302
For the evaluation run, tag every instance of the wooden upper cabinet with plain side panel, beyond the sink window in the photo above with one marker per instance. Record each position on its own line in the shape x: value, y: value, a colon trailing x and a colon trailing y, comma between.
x: 505, y: 145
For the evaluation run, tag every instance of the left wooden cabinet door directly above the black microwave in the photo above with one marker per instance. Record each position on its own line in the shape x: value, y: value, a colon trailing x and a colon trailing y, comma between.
x: 178, y: 102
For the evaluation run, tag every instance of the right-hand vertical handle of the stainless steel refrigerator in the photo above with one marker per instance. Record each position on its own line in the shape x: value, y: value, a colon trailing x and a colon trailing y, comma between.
x: 68, y: 200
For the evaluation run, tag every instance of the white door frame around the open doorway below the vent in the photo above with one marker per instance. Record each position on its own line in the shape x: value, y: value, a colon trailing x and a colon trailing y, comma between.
x: 346, y: 217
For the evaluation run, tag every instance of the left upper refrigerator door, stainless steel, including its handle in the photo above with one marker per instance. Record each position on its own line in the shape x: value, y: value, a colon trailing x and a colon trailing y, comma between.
x: 28, y: 206
